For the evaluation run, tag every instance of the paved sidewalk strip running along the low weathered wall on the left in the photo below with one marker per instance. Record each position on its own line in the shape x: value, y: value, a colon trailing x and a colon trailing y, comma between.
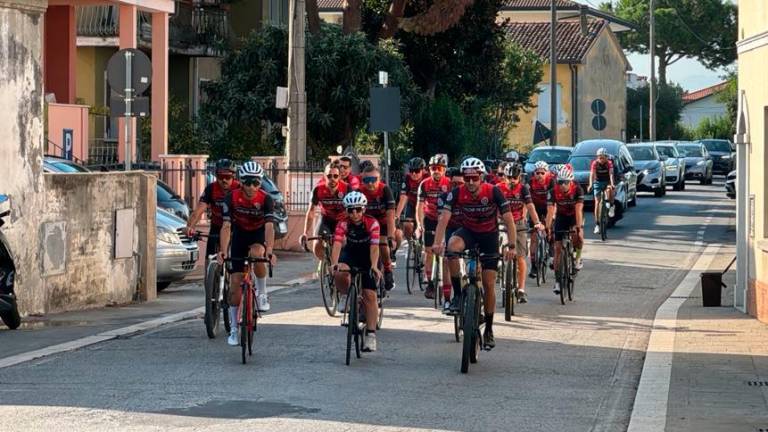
x: 182, y: 300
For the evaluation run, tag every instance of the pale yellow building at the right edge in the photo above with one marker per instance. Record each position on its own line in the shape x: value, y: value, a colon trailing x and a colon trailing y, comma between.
x: 751, y: 294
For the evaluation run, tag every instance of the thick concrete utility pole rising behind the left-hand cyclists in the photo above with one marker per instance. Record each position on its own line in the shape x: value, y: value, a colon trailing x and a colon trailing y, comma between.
x: 296, y: 152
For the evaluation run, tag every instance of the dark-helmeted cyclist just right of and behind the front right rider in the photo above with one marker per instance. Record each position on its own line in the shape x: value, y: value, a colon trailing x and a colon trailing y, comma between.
x: 519, y: 196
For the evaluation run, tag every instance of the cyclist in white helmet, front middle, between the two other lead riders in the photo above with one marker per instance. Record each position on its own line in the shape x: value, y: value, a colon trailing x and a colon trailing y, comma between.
x: 356, y: 243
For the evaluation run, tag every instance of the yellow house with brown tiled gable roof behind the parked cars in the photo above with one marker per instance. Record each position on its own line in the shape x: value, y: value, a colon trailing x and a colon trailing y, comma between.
x: 591, y: 66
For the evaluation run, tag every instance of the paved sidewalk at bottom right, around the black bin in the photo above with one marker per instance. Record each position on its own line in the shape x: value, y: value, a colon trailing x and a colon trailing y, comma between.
x: 719, y: 377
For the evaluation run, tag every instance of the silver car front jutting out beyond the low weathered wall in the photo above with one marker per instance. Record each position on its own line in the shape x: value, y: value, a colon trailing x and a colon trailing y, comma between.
x: 176, y: 253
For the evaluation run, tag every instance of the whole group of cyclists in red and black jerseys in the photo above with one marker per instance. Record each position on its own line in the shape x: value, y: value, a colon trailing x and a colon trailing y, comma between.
x: 449, y: 209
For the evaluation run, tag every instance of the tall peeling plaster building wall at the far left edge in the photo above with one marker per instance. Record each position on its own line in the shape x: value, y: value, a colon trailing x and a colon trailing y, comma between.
x: 21, y: 139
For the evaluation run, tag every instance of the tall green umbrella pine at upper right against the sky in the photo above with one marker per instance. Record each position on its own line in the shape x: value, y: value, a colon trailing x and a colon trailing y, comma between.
x: 700, y: 29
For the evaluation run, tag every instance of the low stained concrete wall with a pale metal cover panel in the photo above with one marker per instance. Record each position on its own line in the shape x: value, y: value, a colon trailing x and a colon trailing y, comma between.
x: 78, y: 238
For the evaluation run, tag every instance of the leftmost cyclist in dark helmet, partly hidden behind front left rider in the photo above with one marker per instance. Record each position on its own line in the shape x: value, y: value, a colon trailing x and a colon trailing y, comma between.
x: 213, y: 199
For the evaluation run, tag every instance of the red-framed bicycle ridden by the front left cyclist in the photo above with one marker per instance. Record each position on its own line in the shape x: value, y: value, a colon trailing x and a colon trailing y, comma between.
x: 247, y: 311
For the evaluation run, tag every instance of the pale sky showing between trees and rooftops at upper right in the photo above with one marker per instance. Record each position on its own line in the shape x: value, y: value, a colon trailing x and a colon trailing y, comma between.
x: 689, y: 73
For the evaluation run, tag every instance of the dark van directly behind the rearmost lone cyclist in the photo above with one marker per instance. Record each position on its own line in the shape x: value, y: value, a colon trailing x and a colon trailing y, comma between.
x: 624, y: 171
